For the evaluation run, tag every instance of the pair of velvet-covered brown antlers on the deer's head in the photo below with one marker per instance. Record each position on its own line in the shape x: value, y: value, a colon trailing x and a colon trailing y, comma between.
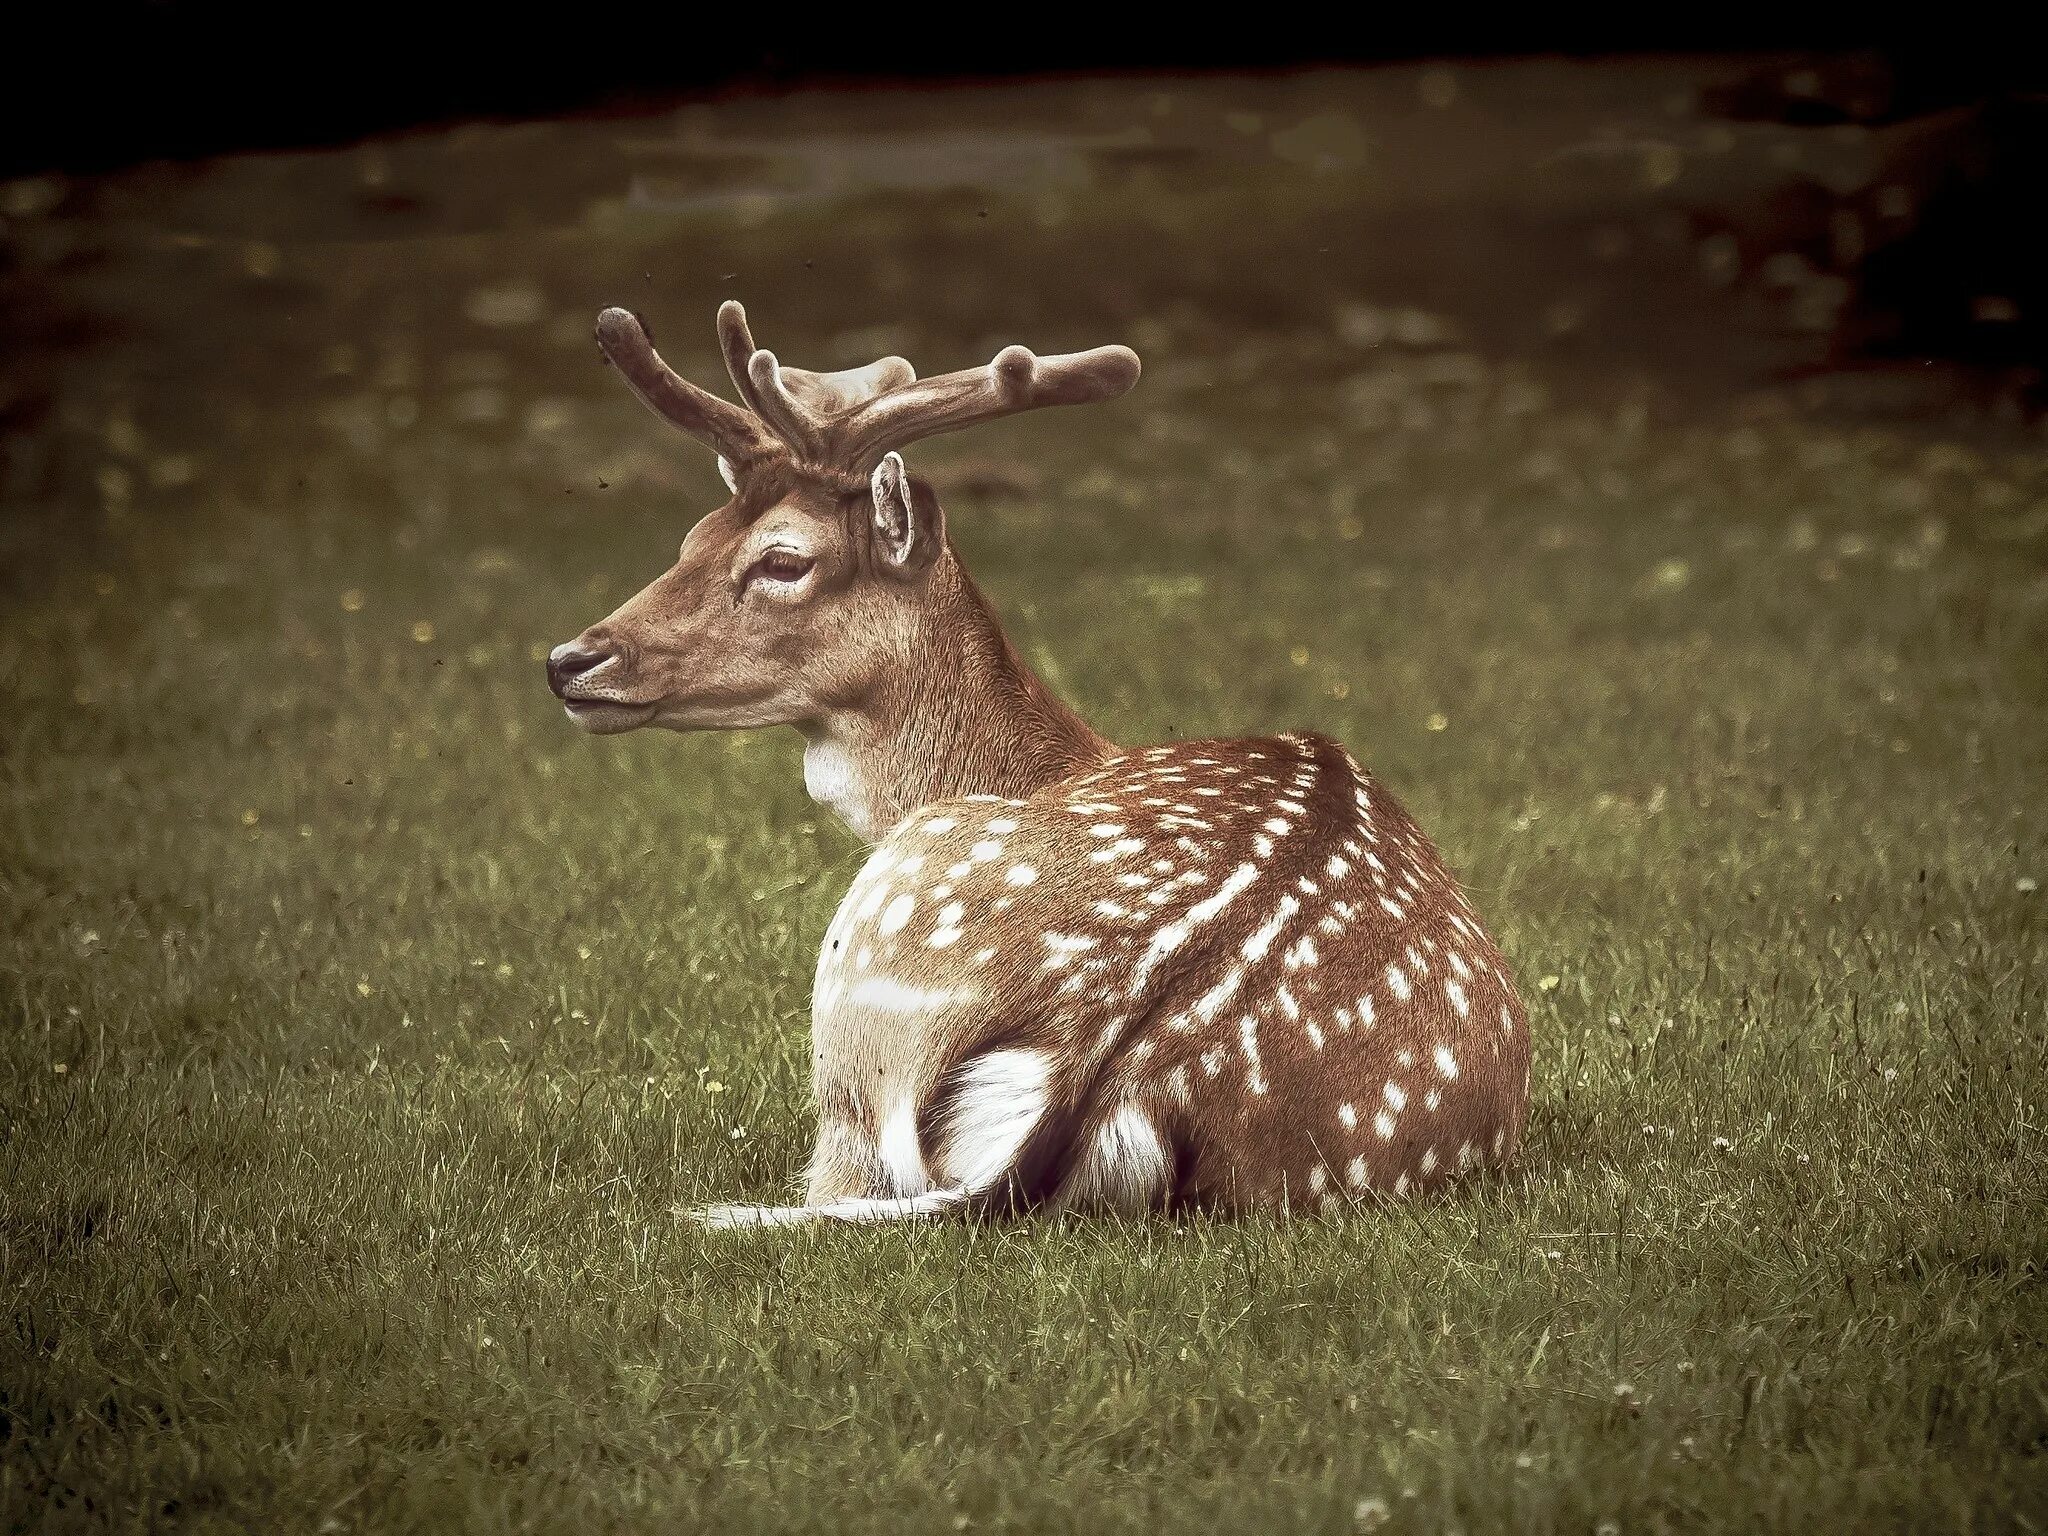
x: 849, y: 421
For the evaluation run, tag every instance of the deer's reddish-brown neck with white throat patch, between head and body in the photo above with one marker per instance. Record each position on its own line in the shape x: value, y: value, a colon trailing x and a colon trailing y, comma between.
x: 962, y: 714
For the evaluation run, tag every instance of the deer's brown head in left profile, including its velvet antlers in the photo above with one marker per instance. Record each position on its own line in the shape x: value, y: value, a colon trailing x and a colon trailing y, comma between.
x: 808, y: 587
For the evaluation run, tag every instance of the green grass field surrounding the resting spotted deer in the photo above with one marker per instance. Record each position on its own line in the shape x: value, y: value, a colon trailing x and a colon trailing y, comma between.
x: 366, y: 1027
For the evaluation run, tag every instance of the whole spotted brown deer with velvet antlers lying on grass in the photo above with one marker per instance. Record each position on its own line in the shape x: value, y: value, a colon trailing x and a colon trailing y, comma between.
x: 1070, y: 976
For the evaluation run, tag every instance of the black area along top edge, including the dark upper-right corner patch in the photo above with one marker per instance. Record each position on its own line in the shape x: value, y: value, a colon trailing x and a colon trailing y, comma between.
x: 108, y: 87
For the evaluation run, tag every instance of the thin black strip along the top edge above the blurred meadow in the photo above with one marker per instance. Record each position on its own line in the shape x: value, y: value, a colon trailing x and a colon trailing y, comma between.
x: 108, y: 85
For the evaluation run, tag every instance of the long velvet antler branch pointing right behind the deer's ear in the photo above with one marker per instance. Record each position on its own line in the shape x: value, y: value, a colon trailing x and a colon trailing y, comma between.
x: 1013, y: 382
